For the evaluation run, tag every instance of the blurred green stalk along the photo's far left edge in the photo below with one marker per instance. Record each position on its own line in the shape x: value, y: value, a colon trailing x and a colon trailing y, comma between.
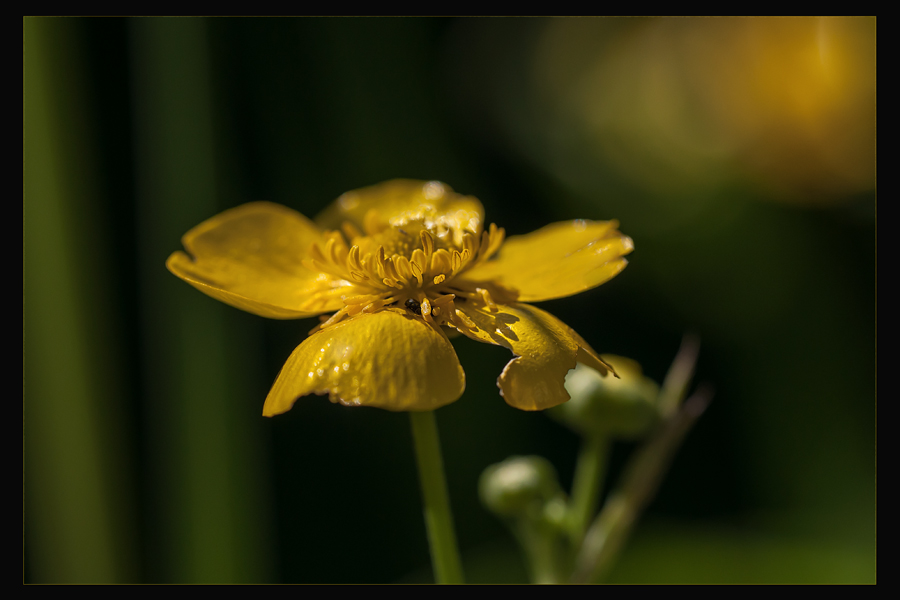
x: 79, y: 522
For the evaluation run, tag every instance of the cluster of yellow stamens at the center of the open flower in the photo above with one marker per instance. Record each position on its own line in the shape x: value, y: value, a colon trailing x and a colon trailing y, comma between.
x: 415, y: 265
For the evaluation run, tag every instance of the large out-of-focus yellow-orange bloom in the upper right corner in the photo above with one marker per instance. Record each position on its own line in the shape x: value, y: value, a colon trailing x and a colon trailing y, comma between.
x: 686, y: 109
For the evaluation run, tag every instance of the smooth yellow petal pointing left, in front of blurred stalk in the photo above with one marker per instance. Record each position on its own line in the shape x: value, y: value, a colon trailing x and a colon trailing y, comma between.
x: 250, y: 257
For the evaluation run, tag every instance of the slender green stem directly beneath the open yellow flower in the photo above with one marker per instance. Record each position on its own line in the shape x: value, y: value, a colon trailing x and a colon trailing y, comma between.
x: 438, y: 518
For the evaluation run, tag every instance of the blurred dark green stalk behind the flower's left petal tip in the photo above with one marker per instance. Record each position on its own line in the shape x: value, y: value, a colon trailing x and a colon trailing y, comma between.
x: 208, y: 473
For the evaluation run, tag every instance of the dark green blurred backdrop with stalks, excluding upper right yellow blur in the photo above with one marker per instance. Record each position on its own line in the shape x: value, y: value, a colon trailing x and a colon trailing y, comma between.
x: 145, y: 455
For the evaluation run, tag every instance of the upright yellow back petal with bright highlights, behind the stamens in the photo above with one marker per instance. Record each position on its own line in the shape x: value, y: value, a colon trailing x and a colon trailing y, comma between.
x: 401, y: 200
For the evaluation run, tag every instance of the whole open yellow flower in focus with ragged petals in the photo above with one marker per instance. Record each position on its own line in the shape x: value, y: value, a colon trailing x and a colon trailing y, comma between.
x: 401, y: 264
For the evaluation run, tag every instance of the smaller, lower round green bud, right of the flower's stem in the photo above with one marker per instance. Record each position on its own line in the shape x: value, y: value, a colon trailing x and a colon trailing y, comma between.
x: 520, y: 486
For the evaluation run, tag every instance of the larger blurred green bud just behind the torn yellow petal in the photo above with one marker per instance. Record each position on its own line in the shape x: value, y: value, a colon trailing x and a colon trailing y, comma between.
x: 624, y: 407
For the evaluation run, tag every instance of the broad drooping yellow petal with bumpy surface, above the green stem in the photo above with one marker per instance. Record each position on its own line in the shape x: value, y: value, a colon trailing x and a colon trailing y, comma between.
x: 388, y: 359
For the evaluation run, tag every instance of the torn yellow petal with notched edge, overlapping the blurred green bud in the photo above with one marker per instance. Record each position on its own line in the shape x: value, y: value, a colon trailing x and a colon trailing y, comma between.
x: 546, y: 349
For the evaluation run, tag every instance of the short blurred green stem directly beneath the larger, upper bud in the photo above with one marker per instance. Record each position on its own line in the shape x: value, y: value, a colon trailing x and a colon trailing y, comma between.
x: 587, y: 485
